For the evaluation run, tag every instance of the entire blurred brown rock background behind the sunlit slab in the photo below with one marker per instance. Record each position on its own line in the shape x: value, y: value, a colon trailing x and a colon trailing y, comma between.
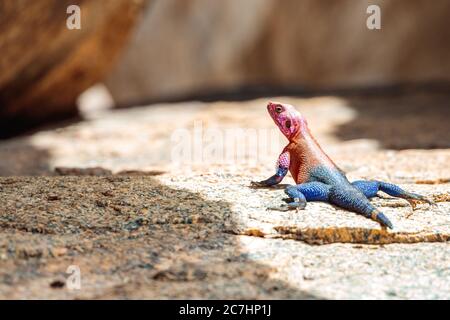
x: 171, y: 49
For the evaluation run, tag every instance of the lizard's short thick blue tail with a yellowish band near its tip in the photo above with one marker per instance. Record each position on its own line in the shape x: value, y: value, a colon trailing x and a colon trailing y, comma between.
x: 354, y: 200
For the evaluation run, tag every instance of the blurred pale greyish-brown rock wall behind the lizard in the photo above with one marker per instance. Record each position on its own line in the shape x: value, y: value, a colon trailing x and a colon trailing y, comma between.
x: 201, y: 47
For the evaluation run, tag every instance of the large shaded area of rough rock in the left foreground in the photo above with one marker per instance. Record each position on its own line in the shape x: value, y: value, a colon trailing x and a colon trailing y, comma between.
x: 131, y: 237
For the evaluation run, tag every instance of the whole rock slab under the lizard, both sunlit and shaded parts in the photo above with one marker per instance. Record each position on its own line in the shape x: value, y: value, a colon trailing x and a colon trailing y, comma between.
x: 142, y: 222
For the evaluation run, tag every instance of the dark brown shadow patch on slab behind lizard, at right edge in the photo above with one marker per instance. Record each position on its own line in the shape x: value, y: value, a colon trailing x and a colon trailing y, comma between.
x: 405, y: 121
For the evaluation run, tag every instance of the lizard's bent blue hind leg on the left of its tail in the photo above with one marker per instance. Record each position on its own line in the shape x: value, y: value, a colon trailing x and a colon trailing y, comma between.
x: 300, y: 194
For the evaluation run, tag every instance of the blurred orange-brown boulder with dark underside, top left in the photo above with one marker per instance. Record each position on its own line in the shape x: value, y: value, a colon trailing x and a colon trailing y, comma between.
x: 45, y: 66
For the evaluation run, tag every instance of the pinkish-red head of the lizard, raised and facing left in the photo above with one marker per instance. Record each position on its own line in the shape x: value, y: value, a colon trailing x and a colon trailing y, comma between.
x: 289, y: 120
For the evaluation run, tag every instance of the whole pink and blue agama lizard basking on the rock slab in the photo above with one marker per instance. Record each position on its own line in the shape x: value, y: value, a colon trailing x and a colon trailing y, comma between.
x: 317, y: 177
